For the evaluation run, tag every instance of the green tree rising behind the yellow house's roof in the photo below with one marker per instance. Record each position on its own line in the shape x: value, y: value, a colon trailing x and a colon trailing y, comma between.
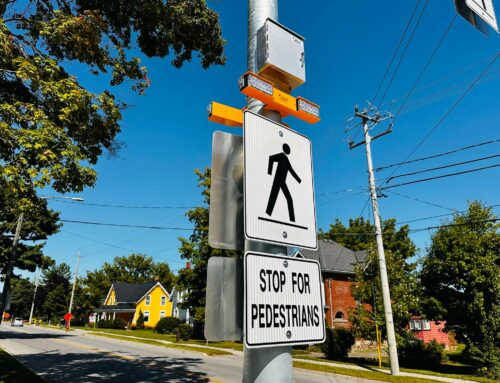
x: 133, y: 268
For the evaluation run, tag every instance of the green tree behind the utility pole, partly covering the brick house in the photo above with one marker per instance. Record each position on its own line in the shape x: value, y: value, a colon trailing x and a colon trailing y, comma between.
x: 403, y: 278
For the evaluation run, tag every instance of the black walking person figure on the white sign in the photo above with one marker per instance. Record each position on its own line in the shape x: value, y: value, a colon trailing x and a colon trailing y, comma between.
x: 283, y: 168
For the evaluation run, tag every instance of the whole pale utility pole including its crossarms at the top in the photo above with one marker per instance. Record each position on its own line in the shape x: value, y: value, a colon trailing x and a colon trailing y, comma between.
x: 371, y: 118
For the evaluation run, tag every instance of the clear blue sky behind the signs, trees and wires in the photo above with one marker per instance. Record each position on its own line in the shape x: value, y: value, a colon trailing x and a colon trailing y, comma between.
x: 348, y: 46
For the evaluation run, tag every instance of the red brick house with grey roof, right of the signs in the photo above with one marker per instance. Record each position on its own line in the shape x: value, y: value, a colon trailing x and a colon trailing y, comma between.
x: 338, y: 270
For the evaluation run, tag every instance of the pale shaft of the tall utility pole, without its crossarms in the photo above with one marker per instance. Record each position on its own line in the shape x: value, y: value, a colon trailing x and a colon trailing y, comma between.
x: 391, y: 337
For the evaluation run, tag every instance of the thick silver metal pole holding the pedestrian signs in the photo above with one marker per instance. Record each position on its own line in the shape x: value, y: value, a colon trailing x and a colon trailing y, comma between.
x: 271, y: 364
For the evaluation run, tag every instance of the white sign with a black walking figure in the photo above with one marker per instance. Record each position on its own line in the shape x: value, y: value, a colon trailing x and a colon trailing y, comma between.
x: 279, y: 187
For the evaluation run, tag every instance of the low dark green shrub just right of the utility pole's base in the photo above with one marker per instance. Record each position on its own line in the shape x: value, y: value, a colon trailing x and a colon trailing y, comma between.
x: 414, y: 353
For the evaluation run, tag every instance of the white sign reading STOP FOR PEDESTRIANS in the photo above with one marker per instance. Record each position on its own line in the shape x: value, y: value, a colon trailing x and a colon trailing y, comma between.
x: 283, y: 301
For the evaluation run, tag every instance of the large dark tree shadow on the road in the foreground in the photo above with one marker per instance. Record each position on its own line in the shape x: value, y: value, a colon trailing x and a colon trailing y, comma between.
x: 105, y: 367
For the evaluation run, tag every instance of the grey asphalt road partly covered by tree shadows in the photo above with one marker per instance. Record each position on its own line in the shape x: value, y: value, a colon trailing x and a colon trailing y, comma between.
x: 58, y: 356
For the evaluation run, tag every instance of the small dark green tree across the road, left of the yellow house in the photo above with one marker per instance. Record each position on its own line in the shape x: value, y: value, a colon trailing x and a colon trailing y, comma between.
x: 55, y: 292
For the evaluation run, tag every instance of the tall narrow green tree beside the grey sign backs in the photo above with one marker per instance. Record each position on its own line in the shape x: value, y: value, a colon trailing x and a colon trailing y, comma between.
x: 196, y: 250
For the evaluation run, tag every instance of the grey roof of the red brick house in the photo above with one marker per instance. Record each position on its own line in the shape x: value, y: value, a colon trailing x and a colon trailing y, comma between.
x: 335, y: 258
